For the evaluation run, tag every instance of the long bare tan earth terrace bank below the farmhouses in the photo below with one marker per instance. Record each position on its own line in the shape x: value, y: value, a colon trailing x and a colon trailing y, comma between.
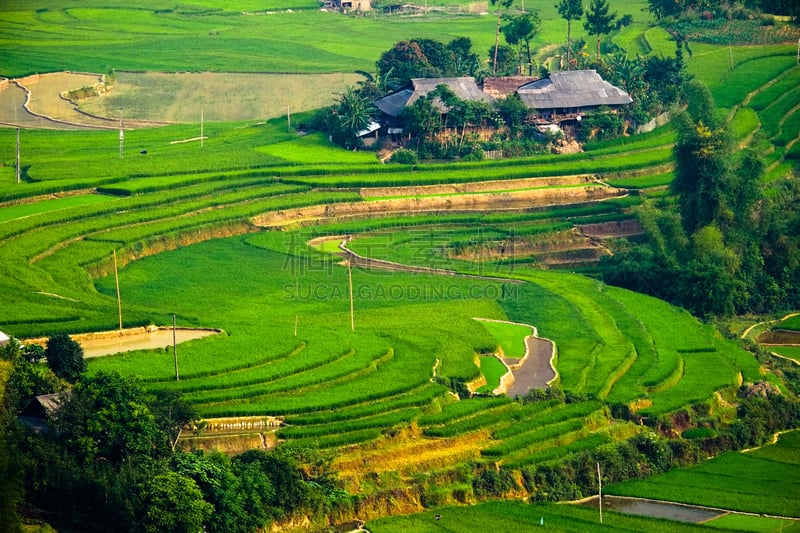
x: 508, y: 200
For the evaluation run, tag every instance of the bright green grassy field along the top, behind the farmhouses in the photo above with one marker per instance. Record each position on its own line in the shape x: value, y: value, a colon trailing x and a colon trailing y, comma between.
x: 242, y: 36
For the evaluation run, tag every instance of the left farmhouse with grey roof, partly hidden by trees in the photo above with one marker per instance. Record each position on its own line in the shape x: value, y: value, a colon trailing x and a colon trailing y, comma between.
x: 391, y: 107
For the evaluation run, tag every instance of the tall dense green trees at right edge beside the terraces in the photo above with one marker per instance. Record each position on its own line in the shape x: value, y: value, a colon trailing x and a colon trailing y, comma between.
x: 731, y: 246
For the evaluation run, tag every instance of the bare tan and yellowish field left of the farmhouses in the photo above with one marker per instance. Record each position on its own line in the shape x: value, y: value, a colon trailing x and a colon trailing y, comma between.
x: 165, y: 98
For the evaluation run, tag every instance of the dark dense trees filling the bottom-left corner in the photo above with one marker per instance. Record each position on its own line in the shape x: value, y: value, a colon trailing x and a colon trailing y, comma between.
x: 108, y: 461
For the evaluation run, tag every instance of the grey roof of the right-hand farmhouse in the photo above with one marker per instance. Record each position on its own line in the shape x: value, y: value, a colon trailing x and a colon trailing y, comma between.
x: 572, y: 89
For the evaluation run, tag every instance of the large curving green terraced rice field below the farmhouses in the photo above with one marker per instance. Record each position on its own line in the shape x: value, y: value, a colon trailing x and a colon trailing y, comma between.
x: 187, y: 224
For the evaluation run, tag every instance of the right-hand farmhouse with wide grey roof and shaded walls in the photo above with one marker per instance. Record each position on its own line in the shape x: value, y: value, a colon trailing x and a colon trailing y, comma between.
x: 565, y: 96
